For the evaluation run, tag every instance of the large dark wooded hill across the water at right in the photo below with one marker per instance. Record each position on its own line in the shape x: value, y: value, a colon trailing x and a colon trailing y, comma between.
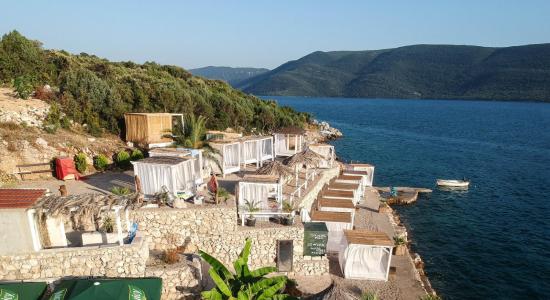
x: 419, y: 71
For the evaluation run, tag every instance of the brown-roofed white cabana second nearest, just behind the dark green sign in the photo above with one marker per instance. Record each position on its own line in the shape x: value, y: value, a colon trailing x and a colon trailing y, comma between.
x: 336, y: 223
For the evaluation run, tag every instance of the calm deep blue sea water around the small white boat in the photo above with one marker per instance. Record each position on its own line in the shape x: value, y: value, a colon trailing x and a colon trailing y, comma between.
x: 490, y: 242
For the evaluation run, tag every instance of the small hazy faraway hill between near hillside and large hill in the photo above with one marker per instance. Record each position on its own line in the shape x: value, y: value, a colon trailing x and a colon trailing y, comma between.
x: 232, y: 76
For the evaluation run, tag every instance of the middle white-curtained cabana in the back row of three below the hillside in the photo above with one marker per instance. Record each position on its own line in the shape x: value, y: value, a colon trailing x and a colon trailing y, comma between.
x: 257, y: 149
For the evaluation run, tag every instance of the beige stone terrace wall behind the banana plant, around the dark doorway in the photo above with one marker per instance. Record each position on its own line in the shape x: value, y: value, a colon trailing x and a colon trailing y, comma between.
x: 215, y: 231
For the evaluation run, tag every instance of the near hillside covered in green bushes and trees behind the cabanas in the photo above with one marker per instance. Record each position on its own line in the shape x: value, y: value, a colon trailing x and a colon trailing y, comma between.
x: 97, y: 92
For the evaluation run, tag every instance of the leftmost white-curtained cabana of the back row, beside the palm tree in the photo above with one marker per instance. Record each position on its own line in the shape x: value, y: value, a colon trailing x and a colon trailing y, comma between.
x: 230, y: 156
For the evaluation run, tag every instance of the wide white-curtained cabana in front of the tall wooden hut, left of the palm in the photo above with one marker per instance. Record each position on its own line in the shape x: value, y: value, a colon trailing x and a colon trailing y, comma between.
x: 177, y: 174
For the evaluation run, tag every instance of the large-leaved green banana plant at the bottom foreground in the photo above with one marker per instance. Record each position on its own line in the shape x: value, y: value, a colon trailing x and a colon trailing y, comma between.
x: 243, y: 284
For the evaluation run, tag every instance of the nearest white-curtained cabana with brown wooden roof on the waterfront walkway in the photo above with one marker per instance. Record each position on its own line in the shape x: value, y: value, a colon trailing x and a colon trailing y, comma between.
x: 352, y: 258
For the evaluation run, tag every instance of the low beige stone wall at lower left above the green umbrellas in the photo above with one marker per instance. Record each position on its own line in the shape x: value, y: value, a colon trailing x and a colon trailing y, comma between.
x: 112, y: 261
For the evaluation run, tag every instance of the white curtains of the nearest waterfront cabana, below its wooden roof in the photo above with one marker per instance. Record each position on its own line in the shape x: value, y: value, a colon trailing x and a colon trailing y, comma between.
x: 364, y: 262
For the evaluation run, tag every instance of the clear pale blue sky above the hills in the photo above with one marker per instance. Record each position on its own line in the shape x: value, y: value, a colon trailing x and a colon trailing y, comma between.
x: 266, y: 34
